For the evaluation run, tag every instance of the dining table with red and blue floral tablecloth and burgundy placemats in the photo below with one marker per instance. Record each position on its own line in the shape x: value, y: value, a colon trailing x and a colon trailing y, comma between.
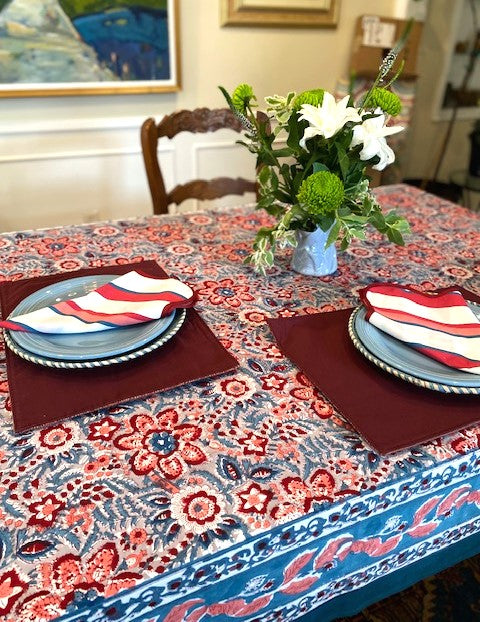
x: 224, y: 474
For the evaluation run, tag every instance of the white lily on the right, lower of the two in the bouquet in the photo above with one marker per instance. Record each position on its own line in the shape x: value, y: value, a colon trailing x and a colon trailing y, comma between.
x: 371, y: 134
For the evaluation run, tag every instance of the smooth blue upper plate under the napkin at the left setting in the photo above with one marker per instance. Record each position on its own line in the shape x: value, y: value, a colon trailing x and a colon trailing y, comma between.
x: 82, y: 346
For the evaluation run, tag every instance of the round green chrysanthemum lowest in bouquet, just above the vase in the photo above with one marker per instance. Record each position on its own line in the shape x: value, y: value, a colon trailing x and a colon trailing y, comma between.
x: 321, y: 193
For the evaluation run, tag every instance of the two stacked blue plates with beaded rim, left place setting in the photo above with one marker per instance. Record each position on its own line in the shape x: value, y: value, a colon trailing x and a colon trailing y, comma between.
x: 98, y: 349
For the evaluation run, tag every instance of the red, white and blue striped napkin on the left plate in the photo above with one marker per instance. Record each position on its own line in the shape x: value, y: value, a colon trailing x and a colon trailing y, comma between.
x: 129, y: 299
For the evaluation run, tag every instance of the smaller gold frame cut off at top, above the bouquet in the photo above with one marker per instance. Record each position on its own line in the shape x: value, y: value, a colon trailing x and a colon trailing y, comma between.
x: 305, y: 13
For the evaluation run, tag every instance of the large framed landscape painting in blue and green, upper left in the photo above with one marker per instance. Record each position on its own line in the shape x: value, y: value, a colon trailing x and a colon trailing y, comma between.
x: 88, y: 47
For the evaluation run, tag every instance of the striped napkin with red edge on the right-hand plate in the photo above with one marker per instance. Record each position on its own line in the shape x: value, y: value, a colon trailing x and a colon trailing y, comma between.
x: 440, y: 325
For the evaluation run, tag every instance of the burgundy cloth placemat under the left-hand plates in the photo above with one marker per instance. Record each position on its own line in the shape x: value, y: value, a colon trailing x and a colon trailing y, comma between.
x: 42, y: 395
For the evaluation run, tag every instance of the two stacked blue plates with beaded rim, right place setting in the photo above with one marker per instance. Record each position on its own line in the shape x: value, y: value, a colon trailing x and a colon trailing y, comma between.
x: 401, y: 360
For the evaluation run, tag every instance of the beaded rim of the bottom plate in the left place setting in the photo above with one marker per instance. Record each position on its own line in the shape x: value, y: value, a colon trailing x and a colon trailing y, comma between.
x: 178, y: 320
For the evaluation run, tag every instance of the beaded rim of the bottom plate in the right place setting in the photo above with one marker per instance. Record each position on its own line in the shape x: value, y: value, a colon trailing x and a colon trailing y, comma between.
x: 389, y: 368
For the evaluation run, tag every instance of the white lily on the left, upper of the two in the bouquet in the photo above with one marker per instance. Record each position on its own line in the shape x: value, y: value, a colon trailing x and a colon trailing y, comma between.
x: 326, y: 120
